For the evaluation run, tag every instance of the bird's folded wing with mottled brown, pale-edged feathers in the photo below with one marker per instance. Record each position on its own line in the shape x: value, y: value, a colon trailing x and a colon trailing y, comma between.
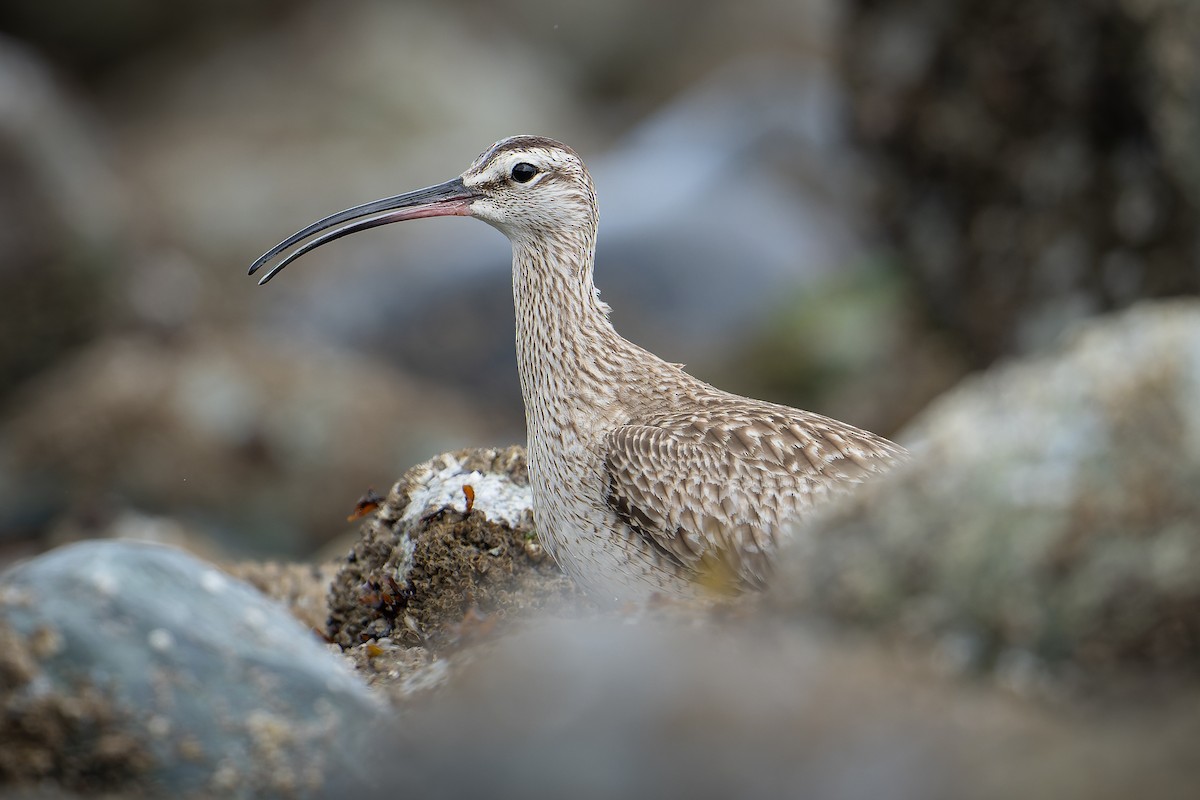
x: 713, y: 494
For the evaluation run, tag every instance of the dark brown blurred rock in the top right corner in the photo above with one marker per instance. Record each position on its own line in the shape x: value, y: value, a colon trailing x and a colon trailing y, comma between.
x: 1036, y: 161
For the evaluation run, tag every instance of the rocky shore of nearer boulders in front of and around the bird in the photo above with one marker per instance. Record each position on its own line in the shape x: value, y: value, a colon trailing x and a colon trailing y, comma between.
x: 1016, y: 615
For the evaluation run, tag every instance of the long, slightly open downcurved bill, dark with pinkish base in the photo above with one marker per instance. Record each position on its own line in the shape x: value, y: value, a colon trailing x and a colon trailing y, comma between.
x: 448, y: 200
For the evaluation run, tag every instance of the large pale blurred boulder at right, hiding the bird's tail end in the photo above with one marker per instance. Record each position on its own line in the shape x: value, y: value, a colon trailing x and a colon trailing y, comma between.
x: 1047, y: 525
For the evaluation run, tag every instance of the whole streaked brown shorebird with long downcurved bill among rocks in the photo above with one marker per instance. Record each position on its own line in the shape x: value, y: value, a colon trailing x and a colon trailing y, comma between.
x: 646, y: 482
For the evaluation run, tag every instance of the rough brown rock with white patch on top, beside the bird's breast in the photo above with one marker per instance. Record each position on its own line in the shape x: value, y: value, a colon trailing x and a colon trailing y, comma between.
x: 429, y: 570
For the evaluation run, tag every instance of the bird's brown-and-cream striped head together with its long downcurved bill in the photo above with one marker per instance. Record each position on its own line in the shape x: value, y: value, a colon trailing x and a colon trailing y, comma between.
x: 529, y: 188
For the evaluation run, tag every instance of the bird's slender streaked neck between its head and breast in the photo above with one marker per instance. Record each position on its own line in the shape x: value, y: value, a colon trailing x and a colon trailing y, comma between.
x: 568, y: 353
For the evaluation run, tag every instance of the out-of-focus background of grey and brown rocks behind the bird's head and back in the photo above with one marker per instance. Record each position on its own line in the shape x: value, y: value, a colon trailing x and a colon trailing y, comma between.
x: 844, y: 206
